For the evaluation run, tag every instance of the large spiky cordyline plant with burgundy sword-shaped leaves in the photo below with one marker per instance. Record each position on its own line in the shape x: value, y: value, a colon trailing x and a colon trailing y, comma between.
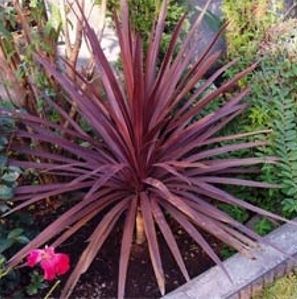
x: 149, y: 156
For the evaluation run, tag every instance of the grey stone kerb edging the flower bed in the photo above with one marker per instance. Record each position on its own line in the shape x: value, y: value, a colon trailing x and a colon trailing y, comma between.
x: 245, y: 272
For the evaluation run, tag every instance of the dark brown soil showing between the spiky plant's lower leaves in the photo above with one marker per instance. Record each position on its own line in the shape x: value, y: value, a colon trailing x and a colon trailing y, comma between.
x: 100, y: 281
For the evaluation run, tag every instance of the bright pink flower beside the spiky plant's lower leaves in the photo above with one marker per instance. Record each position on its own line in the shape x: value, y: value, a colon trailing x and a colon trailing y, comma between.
x: 53, y: 264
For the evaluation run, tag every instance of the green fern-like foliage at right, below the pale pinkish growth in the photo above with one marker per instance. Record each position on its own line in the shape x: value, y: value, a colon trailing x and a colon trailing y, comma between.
x: 274, y: 96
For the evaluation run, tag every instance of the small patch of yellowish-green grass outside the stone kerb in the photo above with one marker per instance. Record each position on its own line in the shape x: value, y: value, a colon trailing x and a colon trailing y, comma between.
x: 283, y: 288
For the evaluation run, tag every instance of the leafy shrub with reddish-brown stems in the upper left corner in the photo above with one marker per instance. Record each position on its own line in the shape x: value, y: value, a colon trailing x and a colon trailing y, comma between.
x: 26, y: 29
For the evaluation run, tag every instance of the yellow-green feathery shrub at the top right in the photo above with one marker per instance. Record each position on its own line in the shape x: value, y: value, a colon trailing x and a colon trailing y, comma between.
x: 249, y: 21
